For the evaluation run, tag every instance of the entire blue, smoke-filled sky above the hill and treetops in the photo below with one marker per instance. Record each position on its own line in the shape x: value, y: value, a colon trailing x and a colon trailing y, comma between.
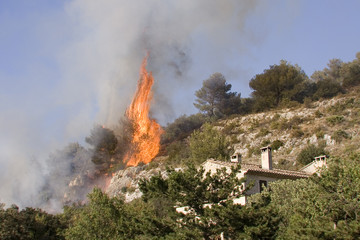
x: 66, y: 65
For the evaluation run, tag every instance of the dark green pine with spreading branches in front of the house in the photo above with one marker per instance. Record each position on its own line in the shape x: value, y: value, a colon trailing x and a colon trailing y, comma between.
x: 211, y: 211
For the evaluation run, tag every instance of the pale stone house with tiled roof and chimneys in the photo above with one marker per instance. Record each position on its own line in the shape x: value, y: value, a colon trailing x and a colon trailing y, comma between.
x: 258, y: 176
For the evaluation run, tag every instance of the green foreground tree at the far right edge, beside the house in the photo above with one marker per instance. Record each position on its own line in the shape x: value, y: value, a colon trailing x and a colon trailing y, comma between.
x: 340, y: 183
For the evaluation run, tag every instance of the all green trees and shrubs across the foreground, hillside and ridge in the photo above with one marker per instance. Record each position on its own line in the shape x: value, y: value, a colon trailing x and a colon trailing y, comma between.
x: 324, y: 206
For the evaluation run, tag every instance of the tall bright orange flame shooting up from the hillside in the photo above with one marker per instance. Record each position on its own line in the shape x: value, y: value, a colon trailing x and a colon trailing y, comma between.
x: 147, y: 132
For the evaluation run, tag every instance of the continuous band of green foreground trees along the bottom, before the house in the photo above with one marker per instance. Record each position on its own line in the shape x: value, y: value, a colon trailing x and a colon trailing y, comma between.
x: 325, y: 206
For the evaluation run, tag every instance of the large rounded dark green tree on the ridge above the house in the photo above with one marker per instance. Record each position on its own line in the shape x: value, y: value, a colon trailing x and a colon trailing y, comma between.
x: 279, y: 83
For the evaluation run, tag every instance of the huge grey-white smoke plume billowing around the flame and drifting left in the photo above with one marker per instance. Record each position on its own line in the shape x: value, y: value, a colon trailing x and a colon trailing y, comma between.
x: 96, y: 49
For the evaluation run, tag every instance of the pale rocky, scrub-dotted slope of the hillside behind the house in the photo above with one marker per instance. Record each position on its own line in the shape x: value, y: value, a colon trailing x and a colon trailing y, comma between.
x: 333, y: 123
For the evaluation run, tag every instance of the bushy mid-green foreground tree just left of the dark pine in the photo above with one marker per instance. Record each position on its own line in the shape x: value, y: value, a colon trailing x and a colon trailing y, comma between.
x: 107, y: 217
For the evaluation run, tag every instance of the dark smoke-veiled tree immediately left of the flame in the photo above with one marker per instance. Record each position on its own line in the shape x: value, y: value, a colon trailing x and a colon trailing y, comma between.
x: 104, y: 143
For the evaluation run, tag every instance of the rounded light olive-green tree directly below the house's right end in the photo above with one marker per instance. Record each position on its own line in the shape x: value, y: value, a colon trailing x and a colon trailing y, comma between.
x: 301, y: 209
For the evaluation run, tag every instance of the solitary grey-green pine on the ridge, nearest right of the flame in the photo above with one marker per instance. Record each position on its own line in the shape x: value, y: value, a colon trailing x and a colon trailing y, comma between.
x: 214, y: 97
